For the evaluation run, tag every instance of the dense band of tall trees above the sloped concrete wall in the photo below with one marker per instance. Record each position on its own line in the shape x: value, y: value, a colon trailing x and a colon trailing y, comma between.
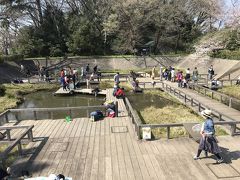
x: 96, y: 27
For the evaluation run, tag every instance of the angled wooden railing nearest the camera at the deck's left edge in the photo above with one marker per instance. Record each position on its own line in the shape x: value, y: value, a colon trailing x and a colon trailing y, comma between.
x: 16, y: 142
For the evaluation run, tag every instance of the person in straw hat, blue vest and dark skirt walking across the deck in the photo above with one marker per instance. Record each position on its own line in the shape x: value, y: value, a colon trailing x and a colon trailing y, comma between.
x: 208, y: 142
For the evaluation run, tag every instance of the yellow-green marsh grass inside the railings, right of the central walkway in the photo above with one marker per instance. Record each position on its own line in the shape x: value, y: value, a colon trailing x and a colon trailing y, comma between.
x: 175, y: 113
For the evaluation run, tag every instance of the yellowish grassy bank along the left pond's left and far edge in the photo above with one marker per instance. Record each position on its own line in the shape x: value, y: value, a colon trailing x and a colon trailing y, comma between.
x: 14, y: 93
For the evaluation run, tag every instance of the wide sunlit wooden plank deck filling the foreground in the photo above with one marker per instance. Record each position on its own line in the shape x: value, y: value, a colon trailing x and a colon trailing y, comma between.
x: 109, y: 149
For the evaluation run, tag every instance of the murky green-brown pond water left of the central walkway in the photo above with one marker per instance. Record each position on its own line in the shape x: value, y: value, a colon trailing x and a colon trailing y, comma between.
x: 43, y: 99
